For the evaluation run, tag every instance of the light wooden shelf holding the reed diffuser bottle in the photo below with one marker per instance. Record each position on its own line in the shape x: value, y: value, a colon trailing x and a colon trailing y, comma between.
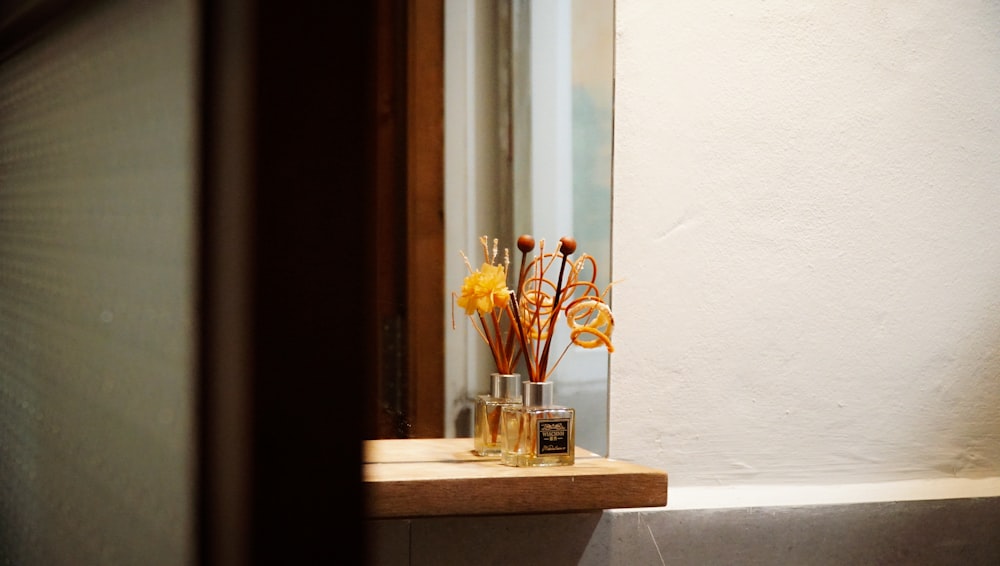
x: 443, y: 476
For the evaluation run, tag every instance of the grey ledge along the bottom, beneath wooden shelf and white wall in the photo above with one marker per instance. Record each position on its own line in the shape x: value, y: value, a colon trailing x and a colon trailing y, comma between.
x: 947, y: 532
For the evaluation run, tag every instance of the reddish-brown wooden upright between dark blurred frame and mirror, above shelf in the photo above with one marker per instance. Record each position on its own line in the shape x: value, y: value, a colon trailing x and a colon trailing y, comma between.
x: 408, y: 397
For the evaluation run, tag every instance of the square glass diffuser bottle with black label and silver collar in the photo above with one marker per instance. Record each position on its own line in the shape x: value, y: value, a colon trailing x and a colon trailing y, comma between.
x: 538, y: 433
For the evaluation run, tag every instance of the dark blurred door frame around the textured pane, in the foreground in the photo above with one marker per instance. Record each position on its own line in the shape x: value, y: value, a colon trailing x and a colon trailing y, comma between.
x: 284, y: 273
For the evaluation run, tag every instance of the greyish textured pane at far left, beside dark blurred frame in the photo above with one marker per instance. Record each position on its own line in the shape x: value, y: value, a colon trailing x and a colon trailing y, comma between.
x: 97, y: 166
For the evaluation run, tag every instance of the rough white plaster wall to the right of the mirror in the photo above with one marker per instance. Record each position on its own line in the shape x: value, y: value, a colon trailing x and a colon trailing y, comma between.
x: 807, y: 234
